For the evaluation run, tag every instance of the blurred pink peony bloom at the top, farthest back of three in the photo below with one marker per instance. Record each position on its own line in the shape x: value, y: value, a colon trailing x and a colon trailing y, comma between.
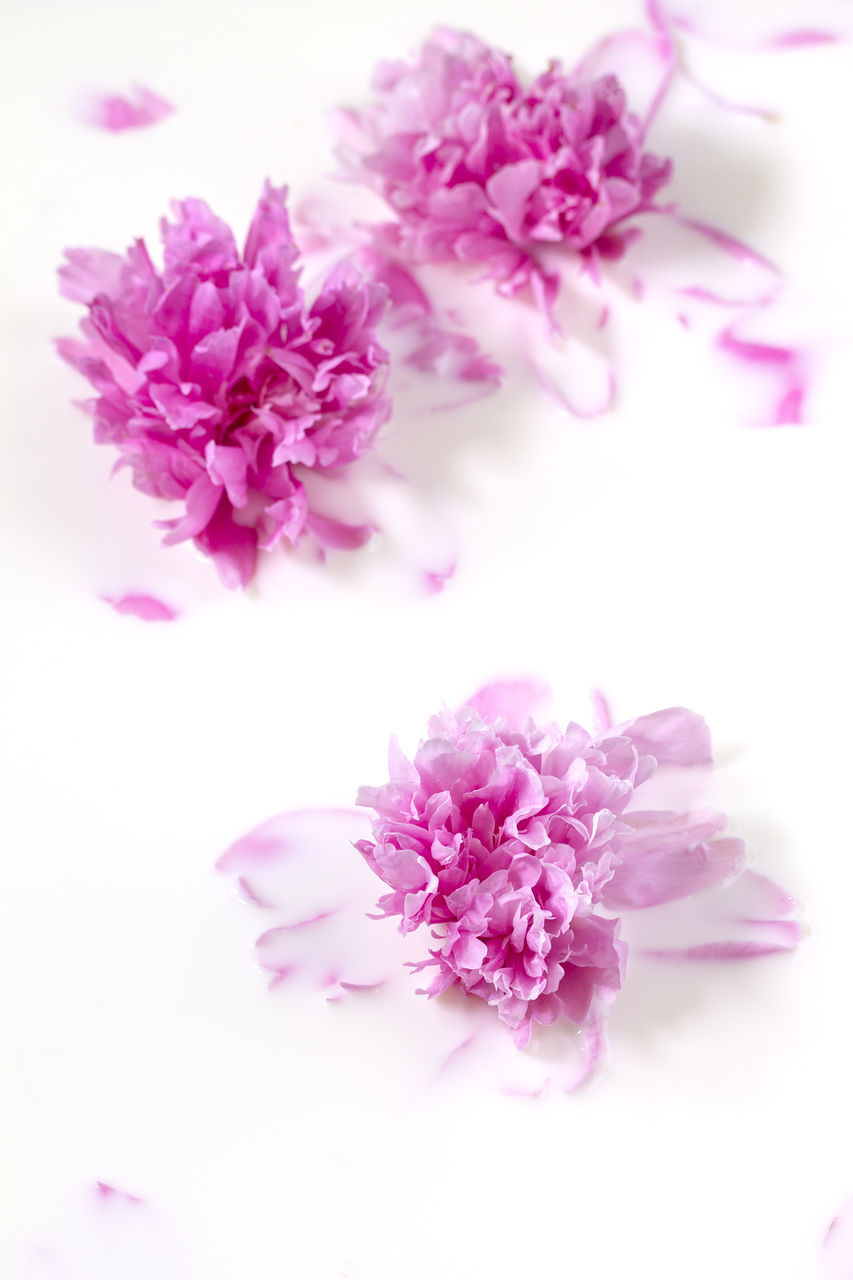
x: 480, y: 168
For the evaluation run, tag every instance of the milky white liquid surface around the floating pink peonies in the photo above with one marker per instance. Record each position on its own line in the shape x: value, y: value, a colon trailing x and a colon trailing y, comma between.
x: 663, y: 554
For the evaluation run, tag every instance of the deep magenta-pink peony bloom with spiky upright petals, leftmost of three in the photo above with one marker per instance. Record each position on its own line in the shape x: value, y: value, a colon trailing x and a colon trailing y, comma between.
x: 221, y: 386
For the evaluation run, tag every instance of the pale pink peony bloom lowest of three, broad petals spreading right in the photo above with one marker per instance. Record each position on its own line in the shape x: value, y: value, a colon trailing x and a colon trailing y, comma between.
x: 518, y: 848
